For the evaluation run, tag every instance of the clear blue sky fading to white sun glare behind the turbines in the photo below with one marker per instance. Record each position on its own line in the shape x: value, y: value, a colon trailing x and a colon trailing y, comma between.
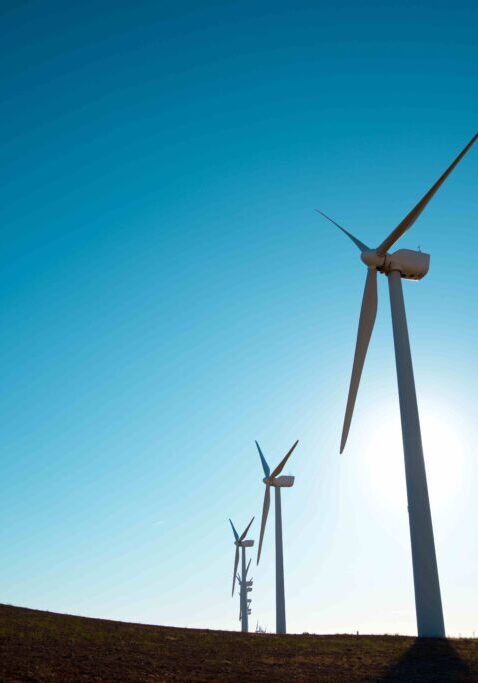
x: 169, y: 295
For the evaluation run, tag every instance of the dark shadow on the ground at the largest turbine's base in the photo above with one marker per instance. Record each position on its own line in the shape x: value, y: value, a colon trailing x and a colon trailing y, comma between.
x: 429, y: 660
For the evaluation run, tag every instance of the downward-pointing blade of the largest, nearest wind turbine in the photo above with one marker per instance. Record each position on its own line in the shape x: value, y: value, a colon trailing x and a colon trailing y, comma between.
x: 368, y: 314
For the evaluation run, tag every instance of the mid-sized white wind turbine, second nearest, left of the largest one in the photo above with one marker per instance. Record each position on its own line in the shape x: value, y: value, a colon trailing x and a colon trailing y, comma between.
x: 272, y: 479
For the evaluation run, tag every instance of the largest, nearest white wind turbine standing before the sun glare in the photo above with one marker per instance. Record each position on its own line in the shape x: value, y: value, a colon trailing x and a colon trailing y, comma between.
x: 410, y: 265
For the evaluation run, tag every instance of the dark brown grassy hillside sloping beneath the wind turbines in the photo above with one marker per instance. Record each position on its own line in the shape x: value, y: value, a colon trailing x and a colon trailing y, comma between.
x: 44, y: 646
